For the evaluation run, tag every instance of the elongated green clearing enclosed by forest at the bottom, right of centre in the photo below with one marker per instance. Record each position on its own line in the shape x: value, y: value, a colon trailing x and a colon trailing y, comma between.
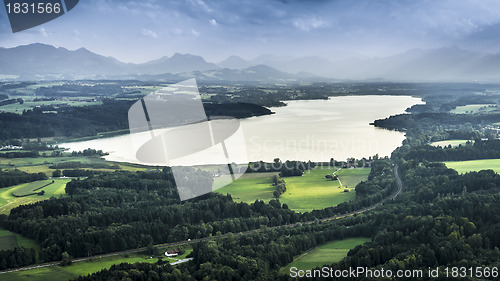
x: 326, y: 254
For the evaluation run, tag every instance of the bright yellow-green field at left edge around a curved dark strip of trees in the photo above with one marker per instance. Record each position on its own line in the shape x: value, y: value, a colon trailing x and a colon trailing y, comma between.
x: 9, y: 202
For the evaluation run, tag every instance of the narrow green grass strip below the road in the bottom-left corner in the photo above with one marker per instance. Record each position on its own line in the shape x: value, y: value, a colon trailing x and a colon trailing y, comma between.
x: 59, y: 273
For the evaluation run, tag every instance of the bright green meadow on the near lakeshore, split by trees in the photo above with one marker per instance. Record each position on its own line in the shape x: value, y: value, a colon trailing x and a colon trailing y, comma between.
x: 308, y: 192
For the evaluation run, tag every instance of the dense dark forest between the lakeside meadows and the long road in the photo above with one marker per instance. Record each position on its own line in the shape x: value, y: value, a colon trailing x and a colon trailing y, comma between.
x: 113, y: 211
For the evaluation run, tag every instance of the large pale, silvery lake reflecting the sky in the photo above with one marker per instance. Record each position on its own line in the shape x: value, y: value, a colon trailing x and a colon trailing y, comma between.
x: 315, y: 130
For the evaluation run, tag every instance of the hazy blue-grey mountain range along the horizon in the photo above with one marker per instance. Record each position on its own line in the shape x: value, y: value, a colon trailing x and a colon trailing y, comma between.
x: 46, y: 62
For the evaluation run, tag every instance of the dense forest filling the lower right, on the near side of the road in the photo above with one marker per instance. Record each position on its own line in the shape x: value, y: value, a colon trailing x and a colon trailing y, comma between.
x: 442, y: 219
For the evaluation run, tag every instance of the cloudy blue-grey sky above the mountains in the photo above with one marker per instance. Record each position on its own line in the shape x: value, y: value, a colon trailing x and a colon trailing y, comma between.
x: 138, y: 31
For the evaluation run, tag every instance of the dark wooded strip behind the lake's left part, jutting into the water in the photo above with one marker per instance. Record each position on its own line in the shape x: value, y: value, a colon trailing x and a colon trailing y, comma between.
x: 84, y: 121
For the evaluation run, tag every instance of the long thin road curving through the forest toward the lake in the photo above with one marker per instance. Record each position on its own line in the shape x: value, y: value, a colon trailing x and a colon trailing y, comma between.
x: 191, y: 241
